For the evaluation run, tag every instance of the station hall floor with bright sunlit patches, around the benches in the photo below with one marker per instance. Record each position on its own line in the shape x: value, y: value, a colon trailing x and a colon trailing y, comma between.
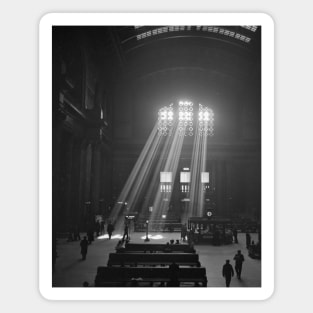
x: 71, y: 271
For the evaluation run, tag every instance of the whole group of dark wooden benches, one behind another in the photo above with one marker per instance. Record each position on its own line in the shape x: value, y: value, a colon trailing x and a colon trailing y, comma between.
x: 131, y: 266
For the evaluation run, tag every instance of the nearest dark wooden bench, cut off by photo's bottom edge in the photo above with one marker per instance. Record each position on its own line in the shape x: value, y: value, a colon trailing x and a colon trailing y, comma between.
x: 123, y: 276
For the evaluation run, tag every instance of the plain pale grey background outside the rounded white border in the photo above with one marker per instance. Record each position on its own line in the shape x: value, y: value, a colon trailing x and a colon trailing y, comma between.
x: 19, y: 154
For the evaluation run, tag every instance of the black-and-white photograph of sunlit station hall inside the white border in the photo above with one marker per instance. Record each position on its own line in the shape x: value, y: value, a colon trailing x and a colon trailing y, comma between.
x: 156, y: 157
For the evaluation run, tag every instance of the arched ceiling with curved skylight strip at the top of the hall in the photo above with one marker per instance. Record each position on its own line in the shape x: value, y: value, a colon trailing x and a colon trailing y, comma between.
x: 143, y: 50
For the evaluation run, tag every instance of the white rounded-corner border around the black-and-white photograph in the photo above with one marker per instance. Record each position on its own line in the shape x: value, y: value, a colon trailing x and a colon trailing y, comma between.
x: 45, y: 156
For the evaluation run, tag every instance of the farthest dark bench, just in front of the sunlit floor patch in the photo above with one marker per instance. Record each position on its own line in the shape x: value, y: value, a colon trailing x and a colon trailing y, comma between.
x: 154, y: 248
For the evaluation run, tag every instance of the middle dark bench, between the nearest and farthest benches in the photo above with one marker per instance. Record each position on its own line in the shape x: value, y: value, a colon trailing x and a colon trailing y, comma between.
x: 149, y: 259
